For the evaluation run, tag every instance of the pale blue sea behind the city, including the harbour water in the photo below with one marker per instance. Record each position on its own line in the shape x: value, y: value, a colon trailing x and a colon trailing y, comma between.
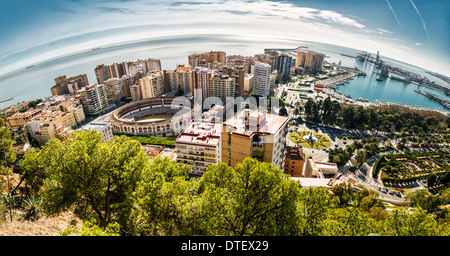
x: 35, y: 82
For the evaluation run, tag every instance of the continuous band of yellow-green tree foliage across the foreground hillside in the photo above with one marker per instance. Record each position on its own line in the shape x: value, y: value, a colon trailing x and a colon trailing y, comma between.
x: 116, y: 190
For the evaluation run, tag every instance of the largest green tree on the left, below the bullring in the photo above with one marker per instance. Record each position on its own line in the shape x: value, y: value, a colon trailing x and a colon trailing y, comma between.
x: 91, y: 177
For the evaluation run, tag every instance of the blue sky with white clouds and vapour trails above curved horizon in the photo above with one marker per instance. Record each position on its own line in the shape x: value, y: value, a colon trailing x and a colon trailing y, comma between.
x: 412, y: 31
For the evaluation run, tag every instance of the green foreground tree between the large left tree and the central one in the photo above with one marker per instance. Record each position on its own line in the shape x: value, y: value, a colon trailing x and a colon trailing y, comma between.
x: 165, y: 200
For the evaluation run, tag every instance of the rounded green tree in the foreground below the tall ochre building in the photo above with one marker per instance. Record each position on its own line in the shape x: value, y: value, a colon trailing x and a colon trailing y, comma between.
x: 253, y: 199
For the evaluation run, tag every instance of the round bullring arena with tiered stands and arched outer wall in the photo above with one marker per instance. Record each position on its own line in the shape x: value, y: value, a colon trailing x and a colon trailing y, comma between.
x: 151, y: 117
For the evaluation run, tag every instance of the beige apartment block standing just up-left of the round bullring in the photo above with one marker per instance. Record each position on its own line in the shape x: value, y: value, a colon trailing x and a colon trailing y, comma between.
x: 93, y: 98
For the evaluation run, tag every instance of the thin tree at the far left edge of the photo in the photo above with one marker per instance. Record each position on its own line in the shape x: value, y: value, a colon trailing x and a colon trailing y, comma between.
x: 7, y: 156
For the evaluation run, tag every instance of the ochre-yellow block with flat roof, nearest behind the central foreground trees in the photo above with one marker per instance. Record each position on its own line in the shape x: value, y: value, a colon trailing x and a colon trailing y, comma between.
x: 254, y: 133
